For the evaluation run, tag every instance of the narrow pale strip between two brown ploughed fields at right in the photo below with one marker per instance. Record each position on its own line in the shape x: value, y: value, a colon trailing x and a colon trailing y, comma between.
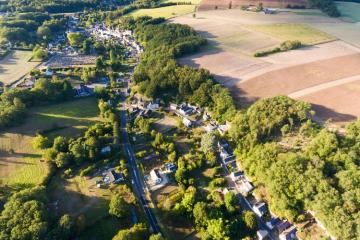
x: 323, y: 86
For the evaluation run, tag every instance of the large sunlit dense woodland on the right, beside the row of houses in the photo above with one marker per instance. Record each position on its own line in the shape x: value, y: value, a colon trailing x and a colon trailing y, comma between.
x: 320, y: 175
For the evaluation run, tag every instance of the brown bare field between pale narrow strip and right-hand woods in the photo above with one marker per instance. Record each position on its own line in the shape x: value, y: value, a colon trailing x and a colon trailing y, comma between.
x: 340, y: 103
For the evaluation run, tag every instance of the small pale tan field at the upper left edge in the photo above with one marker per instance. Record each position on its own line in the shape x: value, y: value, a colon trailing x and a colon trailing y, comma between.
x: 15, y: 65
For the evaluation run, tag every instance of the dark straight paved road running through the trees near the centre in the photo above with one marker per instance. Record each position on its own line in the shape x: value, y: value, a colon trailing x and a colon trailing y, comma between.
x: 138, y: 182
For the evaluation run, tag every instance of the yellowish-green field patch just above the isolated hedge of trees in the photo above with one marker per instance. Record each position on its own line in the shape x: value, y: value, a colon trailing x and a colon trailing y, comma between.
x: 293, y: 31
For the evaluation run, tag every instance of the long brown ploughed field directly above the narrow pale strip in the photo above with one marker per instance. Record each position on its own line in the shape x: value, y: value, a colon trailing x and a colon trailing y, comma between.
x: 295, y: 78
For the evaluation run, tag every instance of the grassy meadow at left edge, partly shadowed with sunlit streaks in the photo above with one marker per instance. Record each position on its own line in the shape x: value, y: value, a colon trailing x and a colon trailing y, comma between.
x: 21, y: 165
